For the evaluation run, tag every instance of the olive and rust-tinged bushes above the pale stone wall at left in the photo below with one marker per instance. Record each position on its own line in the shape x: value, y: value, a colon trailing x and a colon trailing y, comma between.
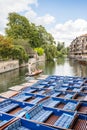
x: 10, y: 51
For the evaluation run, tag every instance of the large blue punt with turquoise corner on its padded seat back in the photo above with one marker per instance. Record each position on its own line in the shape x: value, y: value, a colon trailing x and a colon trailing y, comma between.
x: 52, y: 117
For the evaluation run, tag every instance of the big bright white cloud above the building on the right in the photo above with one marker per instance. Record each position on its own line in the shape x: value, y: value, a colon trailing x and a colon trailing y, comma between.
x: 69, y: 30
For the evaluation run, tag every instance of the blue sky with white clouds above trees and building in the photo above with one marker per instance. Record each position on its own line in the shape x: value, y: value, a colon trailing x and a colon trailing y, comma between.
x: 64, y: 19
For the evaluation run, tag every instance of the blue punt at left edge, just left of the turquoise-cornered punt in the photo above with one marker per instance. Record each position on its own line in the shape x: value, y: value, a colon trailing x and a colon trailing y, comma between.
x: 14, y: 107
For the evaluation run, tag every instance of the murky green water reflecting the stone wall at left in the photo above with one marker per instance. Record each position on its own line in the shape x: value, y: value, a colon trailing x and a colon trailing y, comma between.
x: 12, y: 78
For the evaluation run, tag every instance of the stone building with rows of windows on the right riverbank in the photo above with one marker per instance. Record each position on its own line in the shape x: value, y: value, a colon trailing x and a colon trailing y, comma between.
x: 78, y: 48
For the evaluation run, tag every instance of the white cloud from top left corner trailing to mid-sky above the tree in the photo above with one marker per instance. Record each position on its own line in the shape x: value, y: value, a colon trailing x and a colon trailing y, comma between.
x: 24, y: 6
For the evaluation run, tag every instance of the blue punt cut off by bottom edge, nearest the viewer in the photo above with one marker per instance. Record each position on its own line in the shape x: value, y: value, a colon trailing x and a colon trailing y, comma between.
x: 22, y: 124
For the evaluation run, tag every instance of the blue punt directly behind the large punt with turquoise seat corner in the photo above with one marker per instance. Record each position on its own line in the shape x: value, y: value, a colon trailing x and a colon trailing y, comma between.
x: 67, y: 105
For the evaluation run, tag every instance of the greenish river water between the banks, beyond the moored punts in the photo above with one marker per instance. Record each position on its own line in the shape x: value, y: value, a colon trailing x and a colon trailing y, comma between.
x: 62, y: 66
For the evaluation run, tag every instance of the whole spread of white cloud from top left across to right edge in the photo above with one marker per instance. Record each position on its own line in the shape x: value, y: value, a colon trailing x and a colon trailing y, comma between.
x: 65, y: 32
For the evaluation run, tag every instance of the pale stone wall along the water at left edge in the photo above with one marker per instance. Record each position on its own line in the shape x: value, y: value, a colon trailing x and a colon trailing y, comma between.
x: 8, y: 65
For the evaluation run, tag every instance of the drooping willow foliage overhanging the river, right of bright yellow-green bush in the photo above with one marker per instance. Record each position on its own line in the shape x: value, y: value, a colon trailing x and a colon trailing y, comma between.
x: 50, y: 51
